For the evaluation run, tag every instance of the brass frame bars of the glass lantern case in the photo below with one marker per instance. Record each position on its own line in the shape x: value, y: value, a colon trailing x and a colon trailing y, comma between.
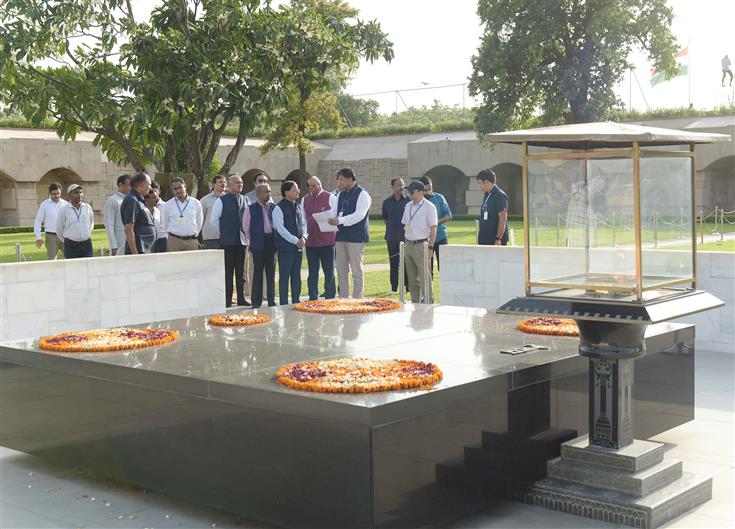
x: 635, y: 154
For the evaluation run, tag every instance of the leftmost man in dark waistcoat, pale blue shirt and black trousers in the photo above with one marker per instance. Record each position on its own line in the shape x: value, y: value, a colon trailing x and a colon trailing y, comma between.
x: 227, y: 217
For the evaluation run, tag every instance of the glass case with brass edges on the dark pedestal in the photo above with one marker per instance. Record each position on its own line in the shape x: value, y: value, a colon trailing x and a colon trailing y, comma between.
x: 613, y: 223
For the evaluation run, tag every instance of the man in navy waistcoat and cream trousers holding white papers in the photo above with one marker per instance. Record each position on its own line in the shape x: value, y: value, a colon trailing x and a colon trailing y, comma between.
x: 350, y: 214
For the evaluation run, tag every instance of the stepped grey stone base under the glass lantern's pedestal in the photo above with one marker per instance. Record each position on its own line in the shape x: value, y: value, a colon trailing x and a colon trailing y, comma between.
x: 633, y: 486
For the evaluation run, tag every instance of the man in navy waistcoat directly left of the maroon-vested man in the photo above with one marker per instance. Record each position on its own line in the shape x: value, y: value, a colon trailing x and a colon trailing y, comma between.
x: 291, y: 234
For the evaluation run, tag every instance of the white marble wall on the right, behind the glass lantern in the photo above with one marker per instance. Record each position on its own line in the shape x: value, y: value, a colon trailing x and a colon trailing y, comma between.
x: 488, y: 276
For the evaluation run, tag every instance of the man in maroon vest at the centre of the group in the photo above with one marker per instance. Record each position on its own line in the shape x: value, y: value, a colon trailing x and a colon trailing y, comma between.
x: 319, y: 245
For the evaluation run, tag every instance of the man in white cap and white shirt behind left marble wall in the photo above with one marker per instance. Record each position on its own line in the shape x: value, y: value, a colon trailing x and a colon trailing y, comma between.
x: 75, y: 224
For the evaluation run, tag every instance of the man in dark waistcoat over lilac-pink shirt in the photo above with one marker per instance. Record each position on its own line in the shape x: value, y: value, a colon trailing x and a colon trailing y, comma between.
x: 257, y: 224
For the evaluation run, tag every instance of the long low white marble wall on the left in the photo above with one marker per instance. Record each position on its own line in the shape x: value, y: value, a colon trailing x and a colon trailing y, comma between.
x: 46, y: 297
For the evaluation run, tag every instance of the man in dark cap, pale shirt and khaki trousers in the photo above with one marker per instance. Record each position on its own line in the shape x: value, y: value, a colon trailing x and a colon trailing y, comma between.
x: 420, y: 220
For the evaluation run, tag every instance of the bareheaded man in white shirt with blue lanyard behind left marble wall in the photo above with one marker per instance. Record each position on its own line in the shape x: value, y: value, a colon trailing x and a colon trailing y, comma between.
x: 183, y: 219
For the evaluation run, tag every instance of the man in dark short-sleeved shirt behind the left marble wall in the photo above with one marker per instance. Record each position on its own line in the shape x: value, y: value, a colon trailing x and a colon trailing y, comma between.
x: 140, y: 228
